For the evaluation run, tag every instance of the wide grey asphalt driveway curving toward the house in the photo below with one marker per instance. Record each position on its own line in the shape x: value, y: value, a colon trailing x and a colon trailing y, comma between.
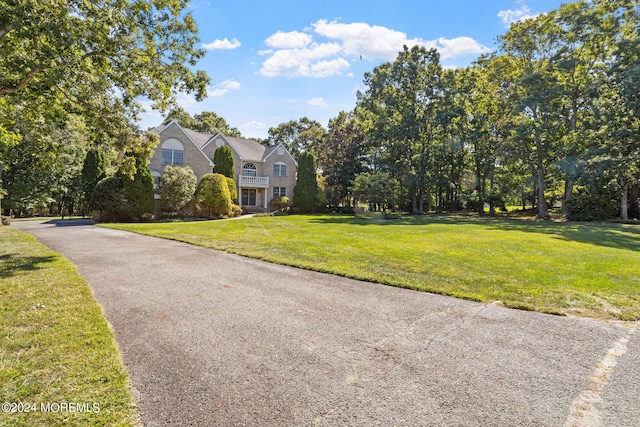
x: 213, y: 339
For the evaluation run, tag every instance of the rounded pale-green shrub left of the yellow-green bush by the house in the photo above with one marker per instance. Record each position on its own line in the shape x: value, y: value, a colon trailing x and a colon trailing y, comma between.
x: 177, y: 187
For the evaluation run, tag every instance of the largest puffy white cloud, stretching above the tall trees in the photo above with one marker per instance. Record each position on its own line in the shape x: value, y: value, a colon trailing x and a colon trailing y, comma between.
x: 296, y: 54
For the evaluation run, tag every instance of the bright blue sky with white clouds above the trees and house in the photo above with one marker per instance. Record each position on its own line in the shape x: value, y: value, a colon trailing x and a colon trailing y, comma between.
x: 272, y: 61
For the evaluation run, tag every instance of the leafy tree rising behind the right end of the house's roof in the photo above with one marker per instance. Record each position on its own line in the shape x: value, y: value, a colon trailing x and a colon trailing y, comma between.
x: 299, y: 136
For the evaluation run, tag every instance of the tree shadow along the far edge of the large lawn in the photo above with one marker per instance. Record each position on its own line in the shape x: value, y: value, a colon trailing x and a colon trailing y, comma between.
x: 611, y: 235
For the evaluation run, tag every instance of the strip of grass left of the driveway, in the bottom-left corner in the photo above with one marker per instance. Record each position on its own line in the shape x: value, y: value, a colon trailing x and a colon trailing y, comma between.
x: 56, y: 347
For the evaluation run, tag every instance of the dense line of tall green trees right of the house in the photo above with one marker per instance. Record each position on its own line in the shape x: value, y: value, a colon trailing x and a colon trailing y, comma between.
x: 552, y: 118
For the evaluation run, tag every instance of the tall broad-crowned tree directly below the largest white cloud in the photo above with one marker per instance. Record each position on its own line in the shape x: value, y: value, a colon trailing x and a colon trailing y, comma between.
x: 399, y: 109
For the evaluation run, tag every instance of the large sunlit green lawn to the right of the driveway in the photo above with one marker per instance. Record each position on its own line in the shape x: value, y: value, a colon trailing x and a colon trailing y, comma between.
x: 565, y: 268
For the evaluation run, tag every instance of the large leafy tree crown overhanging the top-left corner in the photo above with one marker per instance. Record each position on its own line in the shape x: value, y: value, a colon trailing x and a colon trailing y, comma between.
x: 97, y: 59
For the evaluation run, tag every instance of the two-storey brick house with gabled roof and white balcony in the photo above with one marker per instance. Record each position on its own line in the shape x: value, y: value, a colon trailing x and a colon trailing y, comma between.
x: 261, y: 173
